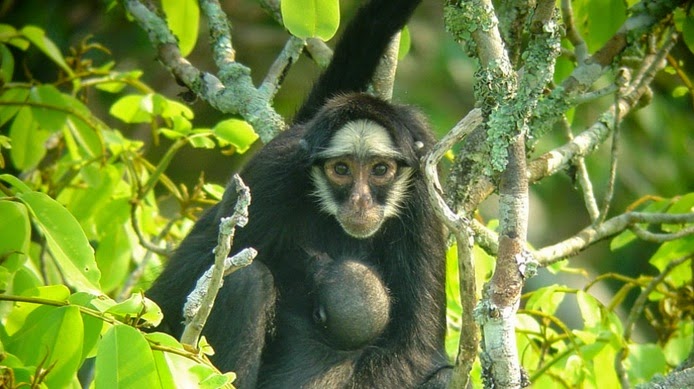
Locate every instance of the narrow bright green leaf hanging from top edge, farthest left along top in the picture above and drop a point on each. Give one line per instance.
(183, 18)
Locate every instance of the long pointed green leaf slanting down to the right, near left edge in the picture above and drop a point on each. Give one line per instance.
(66, 241)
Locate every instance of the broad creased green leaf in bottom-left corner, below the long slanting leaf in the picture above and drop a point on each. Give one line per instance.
(52, 338)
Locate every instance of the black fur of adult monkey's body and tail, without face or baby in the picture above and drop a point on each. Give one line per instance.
(262, 326)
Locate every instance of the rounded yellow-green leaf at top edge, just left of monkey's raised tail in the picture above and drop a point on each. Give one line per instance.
(311, 18)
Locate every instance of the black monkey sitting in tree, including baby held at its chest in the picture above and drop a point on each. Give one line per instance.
(339, 205)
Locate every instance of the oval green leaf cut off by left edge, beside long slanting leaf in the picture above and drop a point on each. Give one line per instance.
(15, 231)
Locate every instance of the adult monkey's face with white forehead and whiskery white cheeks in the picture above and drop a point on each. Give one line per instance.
(361, 182)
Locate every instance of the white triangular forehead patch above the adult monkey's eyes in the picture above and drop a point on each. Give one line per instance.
(362, 139)
